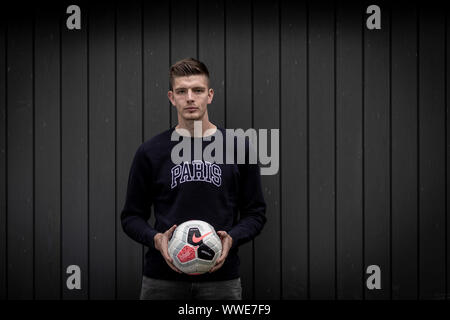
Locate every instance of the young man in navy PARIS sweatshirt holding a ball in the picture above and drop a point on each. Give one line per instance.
(233, 204)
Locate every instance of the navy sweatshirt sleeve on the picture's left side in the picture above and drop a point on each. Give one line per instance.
(137, 208)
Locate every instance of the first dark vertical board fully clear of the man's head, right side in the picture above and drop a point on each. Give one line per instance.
(239, 100)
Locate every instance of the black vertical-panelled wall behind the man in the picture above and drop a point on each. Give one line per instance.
(363, 140)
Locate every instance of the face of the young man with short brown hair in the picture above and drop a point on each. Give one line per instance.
(190, 95)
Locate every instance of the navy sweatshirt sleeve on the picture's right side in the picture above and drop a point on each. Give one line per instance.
(252, 206)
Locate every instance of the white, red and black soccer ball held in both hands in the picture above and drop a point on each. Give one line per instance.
(194, 247)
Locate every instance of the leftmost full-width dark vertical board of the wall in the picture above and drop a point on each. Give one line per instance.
(20, 156)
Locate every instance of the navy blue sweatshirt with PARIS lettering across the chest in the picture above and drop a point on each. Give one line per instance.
(227, 196)
